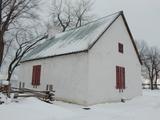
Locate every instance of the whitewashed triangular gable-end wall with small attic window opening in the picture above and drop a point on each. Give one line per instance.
(104, 57)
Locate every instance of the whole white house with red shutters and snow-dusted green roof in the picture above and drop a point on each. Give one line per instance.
(95, 63)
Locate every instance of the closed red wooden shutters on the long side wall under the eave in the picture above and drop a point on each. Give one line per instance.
(36, 73)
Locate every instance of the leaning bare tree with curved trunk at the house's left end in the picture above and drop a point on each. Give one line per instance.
(23, 47)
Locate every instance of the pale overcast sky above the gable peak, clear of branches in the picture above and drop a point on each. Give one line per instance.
(143, 16)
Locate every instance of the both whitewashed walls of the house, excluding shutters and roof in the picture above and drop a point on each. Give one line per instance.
(90, 77)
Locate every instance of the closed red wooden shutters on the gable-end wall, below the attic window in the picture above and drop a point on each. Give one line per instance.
(120, 78)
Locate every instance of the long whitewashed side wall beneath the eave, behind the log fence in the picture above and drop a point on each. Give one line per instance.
(68, 74)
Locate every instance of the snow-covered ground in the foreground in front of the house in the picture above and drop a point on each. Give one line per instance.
(146, 107)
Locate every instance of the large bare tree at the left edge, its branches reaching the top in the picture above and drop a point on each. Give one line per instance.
(11, 11)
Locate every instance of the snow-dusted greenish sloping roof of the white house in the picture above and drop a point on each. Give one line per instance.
(74, 40)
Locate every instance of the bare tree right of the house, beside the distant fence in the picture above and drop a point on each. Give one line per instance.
(150, 57)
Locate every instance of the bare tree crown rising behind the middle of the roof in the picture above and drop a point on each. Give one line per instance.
(70, 15)
